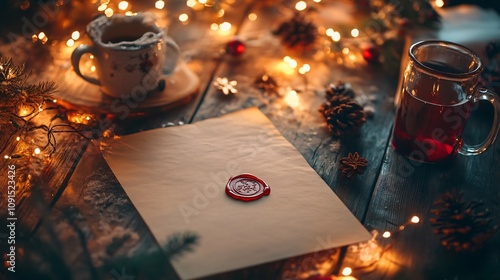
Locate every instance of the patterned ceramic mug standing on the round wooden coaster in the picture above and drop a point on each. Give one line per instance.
(130, 55)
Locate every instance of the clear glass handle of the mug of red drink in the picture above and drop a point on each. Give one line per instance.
(487, 95)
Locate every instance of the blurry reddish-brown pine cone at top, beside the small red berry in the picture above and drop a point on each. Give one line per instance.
(297, 32)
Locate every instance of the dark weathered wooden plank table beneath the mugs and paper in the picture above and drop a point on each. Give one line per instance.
(79, 210)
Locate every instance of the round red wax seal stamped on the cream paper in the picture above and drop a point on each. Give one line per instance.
(246, 187)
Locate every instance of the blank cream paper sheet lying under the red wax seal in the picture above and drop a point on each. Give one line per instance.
(176, 177)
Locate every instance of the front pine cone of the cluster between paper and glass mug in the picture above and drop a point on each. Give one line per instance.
(344, 118)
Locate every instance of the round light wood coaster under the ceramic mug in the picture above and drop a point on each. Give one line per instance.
(180, 88)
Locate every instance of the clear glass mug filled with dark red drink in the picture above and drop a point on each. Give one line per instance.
(437, 94)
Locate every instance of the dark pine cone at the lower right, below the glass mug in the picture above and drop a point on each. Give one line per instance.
(461, 225)
